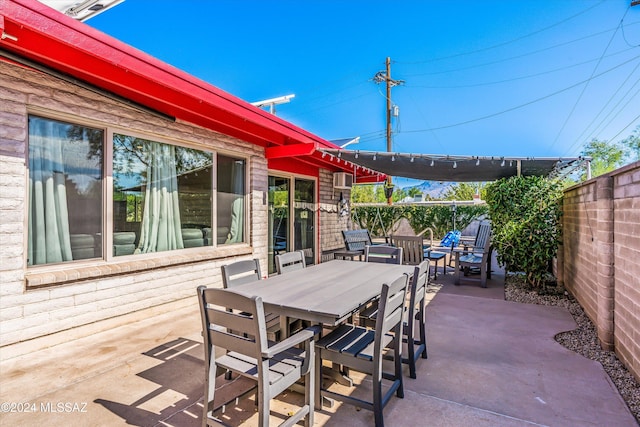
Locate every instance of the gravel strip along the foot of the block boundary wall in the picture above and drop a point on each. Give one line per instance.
(583, 340)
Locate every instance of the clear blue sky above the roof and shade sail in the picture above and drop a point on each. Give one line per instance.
(527, 78)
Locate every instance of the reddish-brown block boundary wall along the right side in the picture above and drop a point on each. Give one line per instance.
(599, 259)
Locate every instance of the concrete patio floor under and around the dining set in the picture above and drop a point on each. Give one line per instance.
(491, 363)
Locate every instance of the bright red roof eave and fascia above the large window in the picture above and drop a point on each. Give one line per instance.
(60, 42)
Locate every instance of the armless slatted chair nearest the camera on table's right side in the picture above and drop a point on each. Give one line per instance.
(363, 349)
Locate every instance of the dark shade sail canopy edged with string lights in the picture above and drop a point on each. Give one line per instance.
(432, 167)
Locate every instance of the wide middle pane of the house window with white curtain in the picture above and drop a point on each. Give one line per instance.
(162, 196)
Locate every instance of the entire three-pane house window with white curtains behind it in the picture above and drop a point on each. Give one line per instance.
(163, 195)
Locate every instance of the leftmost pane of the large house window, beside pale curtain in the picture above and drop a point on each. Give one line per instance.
(65, 192)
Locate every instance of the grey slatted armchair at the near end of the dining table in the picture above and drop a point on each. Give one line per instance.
(274, 366)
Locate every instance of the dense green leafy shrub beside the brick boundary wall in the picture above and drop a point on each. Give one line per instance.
(525, 216)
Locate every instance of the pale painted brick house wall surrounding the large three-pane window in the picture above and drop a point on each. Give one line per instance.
(44, 306)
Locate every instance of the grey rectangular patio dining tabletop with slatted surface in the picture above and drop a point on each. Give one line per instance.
(326, 293)
